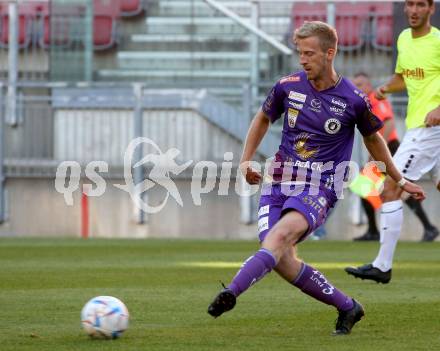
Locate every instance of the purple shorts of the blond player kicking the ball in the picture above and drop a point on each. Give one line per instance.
(314, 207)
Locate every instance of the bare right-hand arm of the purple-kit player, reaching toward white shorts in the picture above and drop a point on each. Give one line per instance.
(379, 151)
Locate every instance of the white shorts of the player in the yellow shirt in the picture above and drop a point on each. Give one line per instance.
(419, 153)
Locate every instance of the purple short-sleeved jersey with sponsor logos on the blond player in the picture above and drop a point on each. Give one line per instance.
(318, 128)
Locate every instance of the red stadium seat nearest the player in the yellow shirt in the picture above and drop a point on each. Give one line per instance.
(382, 26)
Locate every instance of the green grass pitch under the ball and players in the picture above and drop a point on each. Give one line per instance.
(167, 286)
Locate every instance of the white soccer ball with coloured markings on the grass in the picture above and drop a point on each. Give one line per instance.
(104, 317)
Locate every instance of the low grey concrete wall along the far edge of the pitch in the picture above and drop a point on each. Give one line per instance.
(35, 208)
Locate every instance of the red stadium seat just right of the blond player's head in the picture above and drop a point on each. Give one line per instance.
(351, 24)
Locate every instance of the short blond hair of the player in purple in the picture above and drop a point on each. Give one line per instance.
(328, 38)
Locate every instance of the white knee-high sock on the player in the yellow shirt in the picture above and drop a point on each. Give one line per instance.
(391, 219)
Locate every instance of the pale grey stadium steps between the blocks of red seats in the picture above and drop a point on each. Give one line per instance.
(188, 42)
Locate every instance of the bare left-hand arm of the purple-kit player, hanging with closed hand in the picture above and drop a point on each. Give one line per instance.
(258, 128)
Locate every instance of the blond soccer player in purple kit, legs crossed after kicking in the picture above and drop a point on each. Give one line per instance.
(321, 110)
